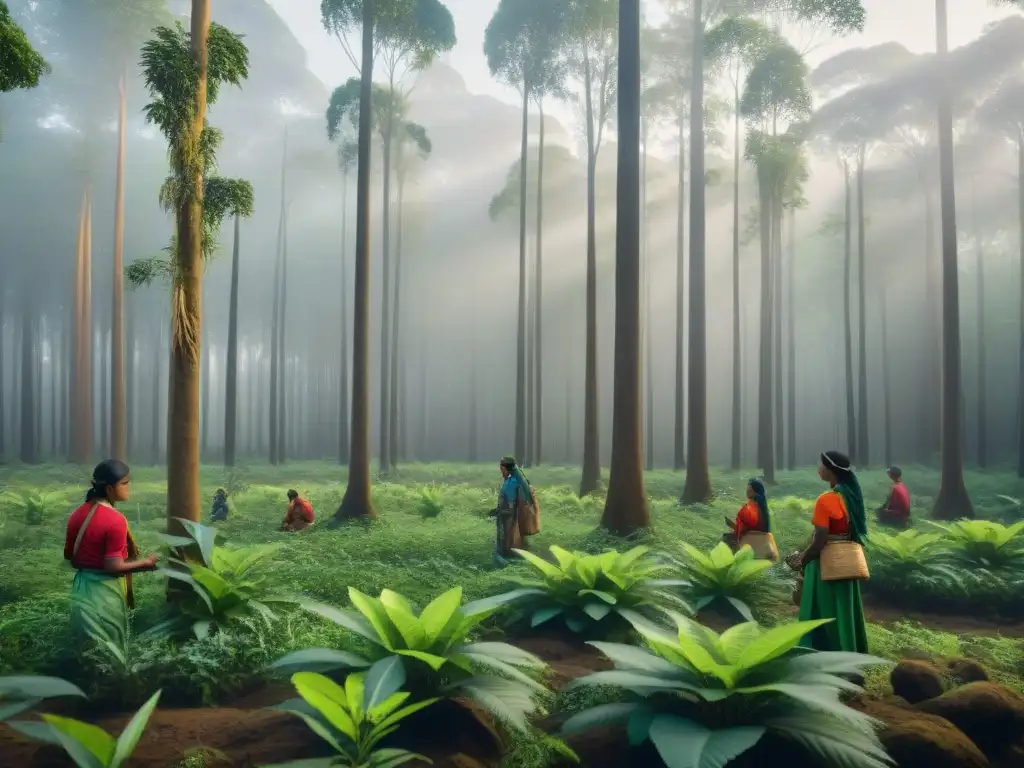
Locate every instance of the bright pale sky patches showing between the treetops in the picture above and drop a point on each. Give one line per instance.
(909, 22)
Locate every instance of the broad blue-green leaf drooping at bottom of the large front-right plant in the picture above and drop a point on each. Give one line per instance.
(685, 744)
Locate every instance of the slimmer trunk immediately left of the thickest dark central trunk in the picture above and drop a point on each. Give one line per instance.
(591, 479)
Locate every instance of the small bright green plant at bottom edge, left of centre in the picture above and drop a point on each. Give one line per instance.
(354, 720)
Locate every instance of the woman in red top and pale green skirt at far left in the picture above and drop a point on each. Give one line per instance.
(104, 554)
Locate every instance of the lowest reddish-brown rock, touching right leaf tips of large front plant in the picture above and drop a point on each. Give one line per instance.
(916, 740)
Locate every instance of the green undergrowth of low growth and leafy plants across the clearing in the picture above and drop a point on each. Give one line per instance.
(430, 560)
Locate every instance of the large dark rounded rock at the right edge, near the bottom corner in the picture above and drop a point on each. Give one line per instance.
(992, 715)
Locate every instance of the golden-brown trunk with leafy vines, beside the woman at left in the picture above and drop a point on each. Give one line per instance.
(183, 410)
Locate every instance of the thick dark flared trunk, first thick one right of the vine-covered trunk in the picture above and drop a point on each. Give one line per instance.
(357, 502)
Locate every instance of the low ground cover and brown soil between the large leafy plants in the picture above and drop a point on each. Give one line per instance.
(216, 691)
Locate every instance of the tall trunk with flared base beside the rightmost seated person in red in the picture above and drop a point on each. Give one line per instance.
(953, 501)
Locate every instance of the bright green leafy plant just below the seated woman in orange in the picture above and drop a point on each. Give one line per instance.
(738, 579)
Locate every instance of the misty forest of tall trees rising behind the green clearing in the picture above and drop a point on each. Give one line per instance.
(411, 272)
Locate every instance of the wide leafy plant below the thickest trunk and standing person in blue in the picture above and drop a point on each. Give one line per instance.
(589, 592)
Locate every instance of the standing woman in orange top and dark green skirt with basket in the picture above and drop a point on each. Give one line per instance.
(838, 514)
